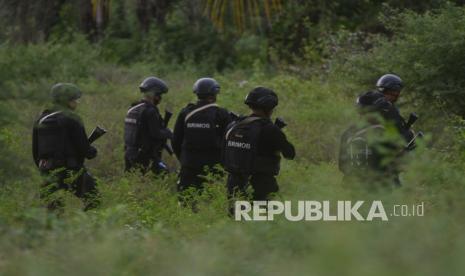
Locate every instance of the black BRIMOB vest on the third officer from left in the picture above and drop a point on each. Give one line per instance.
(202, 129)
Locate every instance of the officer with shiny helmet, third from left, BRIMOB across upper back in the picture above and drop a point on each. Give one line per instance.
(198, 135)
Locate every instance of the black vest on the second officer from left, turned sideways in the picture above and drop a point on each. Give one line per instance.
(132, 126)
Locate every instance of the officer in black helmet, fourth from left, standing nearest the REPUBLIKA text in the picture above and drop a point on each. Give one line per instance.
(253, 147)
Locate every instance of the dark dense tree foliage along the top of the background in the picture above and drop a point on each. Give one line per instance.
(180, 30)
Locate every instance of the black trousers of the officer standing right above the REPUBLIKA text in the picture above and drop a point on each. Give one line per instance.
(263, 185)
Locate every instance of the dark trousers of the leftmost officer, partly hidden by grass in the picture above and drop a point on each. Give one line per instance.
(78, 181)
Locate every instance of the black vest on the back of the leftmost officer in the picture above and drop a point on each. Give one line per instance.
(52, 137)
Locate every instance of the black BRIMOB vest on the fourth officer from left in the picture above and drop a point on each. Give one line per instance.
(241, 149)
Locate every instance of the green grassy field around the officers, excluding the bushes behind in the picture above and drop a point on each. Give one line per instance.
(141, 229)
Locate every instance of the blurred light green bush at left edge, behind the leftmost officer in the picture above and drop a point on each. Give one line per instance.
(27, 71)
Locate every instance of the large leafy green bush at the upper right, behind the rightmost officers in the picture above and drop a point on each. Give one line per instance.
(427, 51)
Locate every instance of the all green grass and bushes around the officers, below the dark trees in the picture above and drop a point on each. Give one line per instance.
(140, 229)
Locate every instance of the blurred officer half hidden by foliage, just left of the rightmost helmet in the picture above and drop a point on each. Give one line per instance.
(366, 155)
